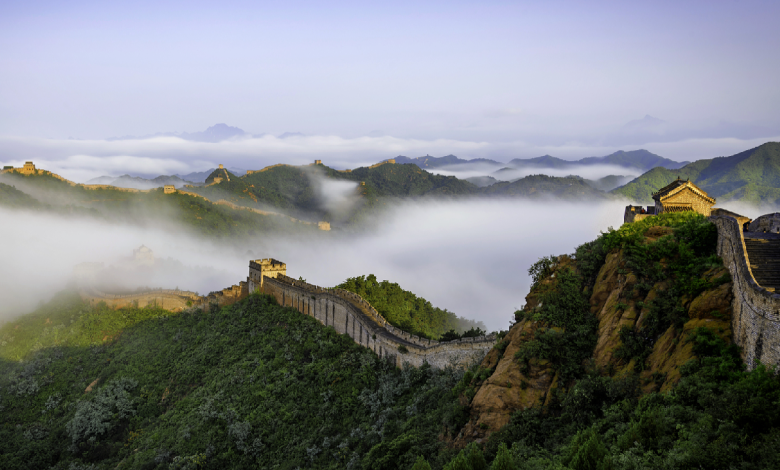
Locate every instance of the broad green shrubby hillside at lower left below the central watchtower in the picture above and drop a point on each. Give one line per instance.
(253, 385)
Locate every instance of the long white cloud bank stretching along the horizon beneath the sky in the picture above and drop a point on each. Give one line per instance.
(81, 160)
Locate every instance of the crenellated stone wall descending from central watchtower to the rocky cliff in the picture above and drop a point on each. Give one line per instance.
(350, 314)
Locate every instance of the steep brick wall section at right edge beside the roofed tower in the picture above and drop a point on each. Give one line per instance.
(756, 320)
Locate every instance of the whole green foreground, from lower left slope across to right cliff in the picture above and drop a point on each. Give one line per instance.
(255, 385)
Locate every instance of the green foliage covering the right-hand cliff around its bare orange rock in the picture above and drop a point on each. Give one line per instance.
(718, 416)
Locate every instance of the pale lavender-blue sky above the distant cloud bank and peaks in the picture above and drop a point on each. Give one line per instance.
(500, 79)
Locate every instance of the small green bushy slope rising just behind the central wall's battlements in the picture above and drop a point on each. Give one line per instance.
(414, 314)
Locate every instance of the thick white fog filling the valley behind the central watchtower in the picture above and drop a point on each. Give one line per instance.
(470, 257)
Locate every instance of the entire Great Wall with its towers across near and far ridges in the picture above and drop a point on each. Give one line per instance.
(750, 249)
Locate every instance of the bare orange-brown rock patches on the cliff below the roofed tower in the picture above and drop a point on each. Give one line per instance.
(616, 304)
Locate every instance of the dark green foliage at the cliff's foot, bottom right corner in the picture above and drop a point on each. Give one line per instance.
(719, 416)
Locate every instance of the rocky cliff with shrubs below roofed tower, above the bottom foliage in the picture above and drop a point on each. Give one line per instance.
(650, 289)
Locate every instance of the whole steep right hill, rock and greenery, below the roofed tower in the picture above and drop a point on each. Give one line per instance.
(622, 359)
